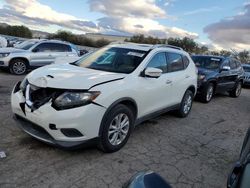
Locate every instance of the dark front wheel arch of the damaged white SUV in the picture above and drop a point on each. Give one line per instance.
(127, 101)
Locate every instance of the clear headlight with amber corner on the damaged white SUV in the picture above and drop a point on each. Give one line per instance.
(74, 99)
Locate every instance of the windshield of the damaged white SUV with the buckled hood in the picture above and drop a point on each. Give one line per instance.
(113, 59)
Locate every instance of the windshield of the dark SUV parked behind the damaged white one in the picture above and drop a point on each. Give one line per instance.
(207, 62)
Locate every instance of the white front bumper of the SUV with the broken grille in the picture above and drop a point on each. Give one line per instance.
(86, 119)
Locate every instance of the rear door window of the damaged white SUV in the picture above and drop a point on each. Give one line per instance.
(175, 62)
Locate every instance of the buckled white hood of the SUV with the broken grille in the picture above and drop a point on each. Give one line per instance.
(66, 76)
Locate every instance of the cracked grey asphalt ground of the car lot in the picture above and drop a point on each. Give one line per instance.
(194, 152)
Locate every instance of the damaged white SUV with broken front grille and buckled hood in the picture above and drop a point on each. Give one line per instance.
(105, 94)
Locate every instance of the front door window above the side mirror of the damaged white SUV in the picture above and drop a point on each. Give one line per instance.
(159, 61)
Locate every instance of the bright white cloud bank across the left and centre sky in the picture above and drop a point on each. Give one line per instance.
(121, 17)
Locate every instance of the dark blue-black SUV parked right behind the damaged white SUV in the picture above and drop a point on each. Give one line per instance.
(218, 74)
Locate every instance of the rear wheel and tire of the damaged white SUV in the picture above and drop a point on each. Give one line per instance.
(186, 104)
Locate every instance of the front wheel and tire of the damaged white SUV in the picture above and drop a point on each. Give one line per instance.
(117, 127)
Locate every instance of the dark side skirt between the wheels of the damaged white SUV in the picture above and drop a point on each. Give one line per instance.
(156, 114)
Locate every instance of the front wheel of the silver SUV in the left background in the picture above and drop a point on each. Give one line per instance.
(18, 67)
